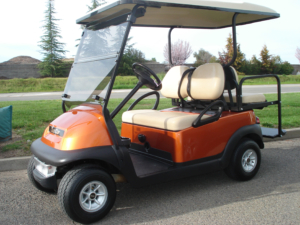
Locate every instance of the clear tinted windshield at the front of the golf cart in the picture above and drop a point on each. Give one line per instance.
(94, 63)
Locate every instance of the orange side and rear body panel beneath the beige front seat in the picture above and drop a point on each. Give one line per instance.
(192, 143)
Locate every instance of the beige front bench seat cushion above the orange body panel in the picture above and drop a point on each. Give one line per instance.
(173, 121)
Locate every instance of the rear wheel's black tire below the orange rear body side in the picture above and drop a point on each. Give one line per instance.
(236, 170)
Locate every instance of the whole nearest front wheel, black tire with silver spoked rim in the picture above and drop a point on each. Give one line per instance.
(87, 194)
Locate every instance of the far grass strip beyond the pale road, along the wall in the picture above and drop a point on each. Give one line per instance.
(122, 82)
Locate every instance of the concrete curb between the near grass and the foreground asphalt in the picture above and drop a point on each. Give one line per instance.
(20, 163)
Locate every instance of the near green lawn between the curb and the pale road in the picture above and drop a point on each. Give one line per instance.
(30, 118)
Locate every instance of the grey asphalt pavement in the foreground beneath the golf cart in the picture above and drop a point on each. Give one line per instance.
(272, 197)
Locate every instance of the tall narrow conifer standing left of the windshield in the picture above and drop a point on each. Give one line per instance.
(52, 50)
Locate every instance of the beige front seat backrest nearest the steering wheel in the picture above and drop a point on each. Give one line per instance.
(170, 83)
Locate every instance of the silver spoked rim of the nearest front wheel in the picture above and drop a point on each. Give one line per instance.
(93, 196)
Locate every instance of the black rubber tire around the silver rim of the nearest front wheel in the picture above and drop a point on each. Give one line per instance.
(73, 183)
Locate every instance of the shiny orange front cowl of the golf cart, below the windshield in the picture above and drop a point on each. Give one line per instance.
(84, 127)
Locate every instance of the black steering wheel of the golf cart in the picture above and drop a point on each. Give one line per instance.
(143, 73)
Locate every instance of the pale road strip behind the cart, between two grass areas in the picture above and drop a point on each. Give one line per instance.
(265, 89)
